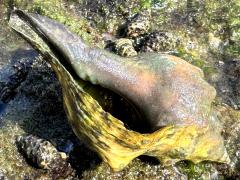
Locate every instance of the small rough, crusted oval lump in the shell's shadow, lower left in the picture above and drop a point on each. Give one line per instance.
(43, 154)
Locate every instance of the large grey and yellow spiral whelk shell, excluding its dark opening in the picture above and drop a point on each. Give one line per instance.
(168, 91)
